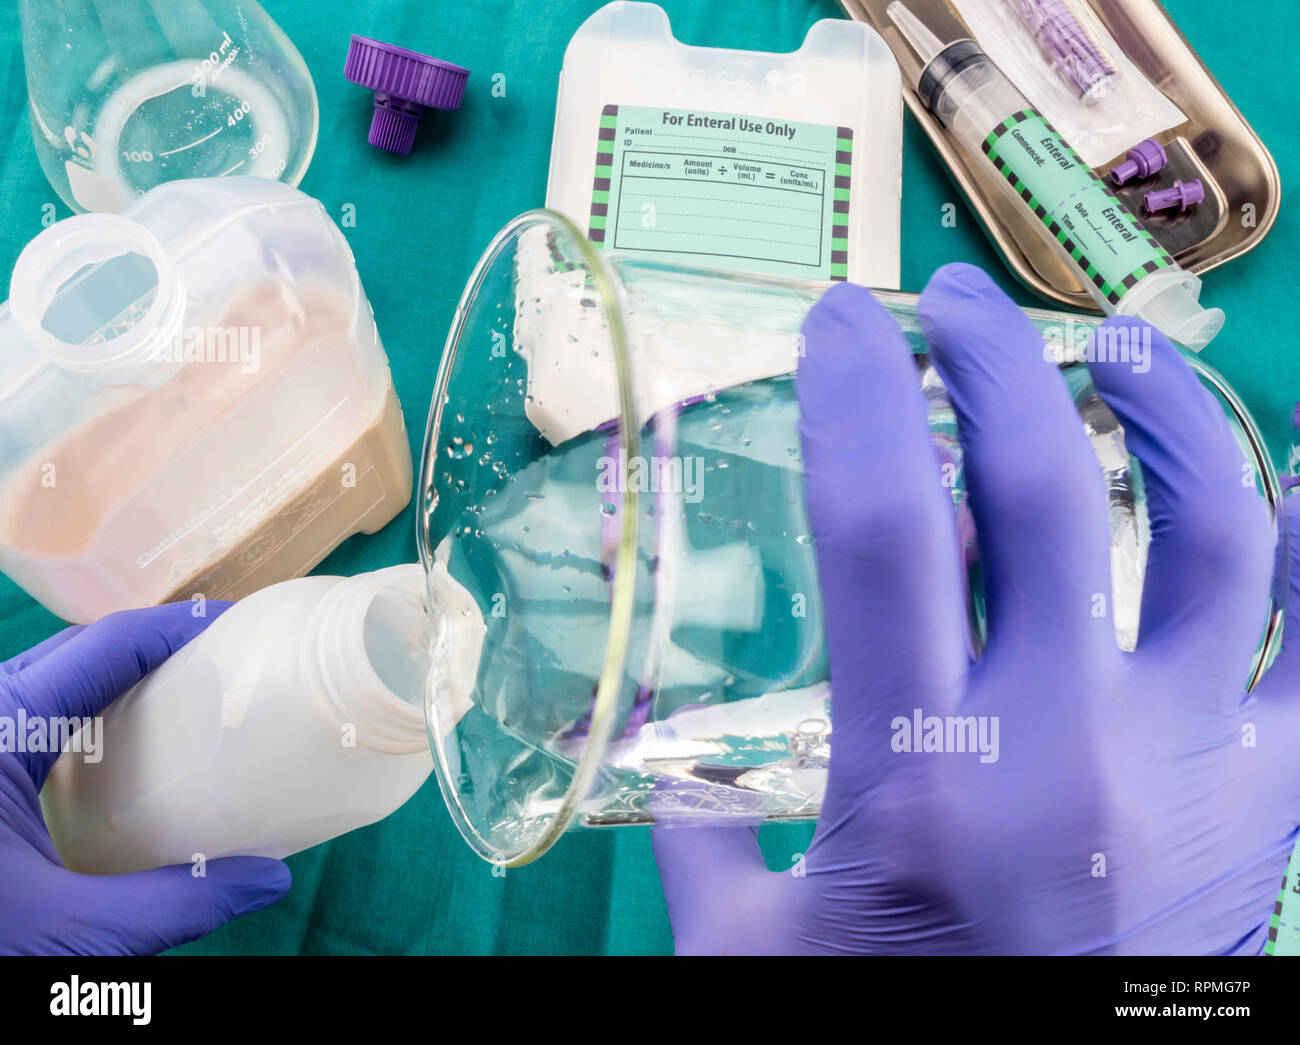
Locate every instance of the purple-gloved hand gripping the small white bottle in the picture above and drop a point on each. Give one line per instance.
(49, 910)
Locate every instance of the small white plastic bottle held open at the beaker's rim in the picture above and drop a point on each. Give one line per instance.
(297, 717)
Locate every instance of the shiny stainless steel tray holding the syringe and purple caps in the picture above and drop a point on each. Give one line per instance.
(1216, 145)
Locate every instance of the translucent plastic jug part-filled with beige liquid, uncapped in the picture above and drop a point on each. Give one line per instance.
(194, 401)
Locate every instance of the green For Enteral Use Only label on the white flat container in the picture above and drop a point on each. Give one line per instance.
(751, 193)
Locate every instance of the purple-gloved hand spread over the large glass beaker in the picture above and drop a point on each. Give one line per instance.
(1139, 803)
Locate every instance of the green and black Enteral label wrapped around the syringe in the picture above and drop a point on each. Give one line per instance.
(1098, 231)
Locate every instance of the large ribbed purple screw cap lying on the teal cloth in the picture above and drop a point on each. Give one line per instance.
(405, 84)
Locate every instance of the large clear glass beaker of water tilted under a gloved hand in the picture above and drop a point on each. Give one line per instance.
(613, 472)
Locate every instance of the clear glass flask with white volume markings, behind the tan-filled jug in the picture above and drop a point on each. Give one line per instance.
(128, 96)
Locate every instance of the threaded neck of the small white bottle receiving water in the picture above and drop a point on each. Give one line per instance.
(341, 669)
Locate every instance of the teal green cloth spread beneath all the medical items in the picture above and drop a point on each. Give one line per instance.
(410, 884)
